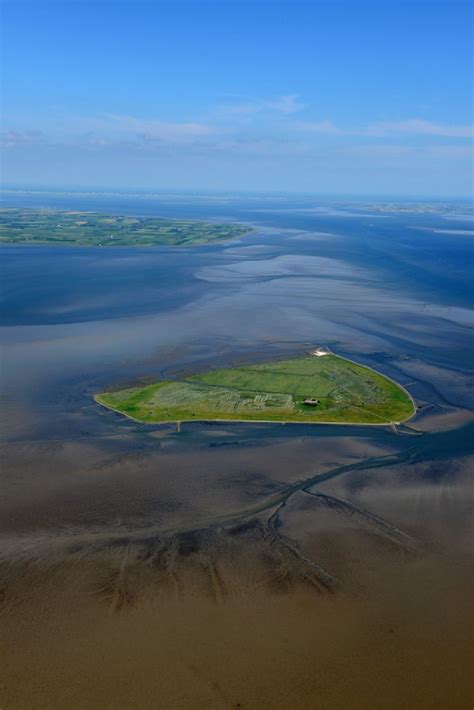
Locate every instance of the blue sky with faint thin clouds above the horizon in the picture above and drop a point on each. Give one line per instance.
(348, 97)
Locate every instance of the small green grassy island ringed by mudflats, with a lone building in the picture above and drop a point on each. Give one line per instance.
(317, 387)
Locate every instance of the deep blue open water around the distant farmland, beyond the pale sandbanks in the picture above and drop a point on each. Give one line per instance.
(400, 252)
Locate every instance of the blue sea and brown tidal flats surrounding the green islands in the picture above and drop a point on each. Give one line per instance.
(236, 565)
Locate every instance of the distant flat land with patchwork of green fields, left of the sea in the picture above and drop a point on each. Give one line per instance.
(68, 228)
